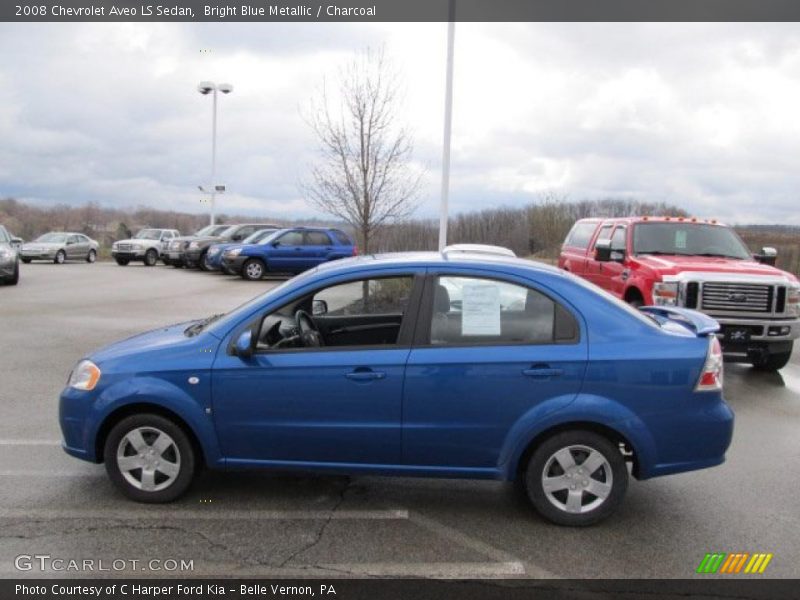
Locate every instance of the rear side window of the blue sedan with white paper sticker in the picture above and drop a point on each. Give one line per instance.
(468, 311)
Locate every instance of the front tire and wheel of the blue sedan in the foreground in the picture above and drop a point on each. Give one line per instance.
(120, 454)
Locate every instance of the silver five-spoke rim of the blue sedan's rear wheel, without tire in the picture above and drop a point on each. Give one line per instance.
(577, 479)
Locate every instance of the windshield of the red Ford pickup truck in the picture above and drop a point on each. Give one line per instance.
(688, 239)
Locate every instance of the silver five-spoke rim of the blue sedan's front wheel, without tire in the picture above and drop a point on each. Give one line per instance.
(148, 459)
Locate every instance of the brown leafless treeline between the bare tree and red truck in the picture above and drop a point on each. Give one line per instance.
(537, 229)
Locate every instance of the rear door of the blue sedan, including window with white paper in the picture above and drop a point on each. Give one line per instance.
(488, 350)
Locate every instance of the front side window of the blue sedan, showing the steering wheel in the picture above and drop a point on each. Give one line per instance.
(366, 312)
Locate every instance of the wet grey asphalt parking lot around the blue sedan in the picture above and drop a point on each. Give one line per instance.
(270, 525)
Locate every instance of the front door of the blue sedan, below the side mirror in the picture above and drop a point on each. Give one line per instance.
(336, 404)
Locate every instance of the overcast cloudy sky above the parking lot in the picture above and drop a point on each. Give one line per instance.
(706, 116)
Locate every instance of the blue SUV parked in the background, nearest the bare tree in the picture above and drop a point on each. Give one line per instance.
(291, 250)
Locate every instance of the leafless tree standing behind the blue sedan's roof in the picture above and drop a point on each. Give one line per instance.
(364, 175)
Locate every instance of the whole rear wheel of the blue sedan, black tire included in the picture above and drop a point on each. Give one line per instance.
(549, 461)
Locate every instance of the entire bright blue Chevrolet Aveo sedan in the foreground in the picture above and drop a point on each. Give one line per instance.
(413, 364)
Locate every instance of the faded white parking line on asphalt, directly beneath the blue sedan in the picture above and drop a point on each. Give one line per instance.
(202, 515)
